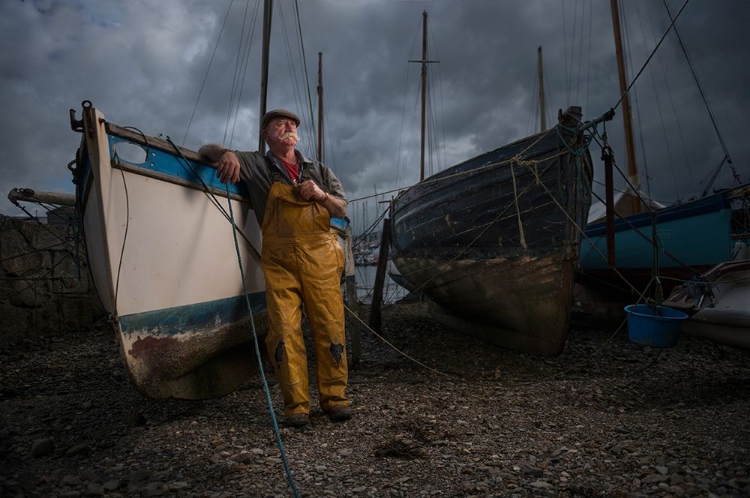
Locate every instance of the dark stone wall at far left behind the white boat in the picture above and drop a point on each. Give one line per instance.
(45, 289)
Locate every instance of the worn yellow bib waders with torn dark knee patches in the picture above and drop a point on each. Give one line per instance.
(302, 263)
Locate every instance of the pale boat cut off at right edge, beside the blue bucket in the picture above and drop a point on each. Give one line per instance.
(718, 303)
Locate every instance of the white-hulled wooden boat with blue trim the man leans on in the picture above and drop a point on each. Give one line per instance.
(164, 260)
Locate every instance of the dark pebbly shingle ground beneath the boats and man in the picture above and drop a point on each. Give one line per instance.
(455, 418)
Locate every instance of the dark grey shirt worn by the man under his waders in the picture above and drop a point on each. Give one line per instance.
(254, 171)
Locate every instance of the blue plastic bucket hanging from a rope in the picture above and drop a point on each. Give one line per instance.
(658, 328)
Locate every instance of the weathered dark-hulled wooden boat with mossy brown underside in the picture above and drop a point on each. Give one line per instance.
(493, 242)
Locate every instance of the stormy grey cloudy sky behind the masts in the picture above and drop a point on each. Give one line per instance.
(190, 70)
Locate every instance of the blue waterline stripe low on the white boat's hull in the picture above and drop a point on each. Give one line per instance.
(193, 317)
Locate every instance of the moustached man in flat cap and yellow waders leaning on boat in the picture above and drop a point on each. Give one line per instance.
(294, 199)
